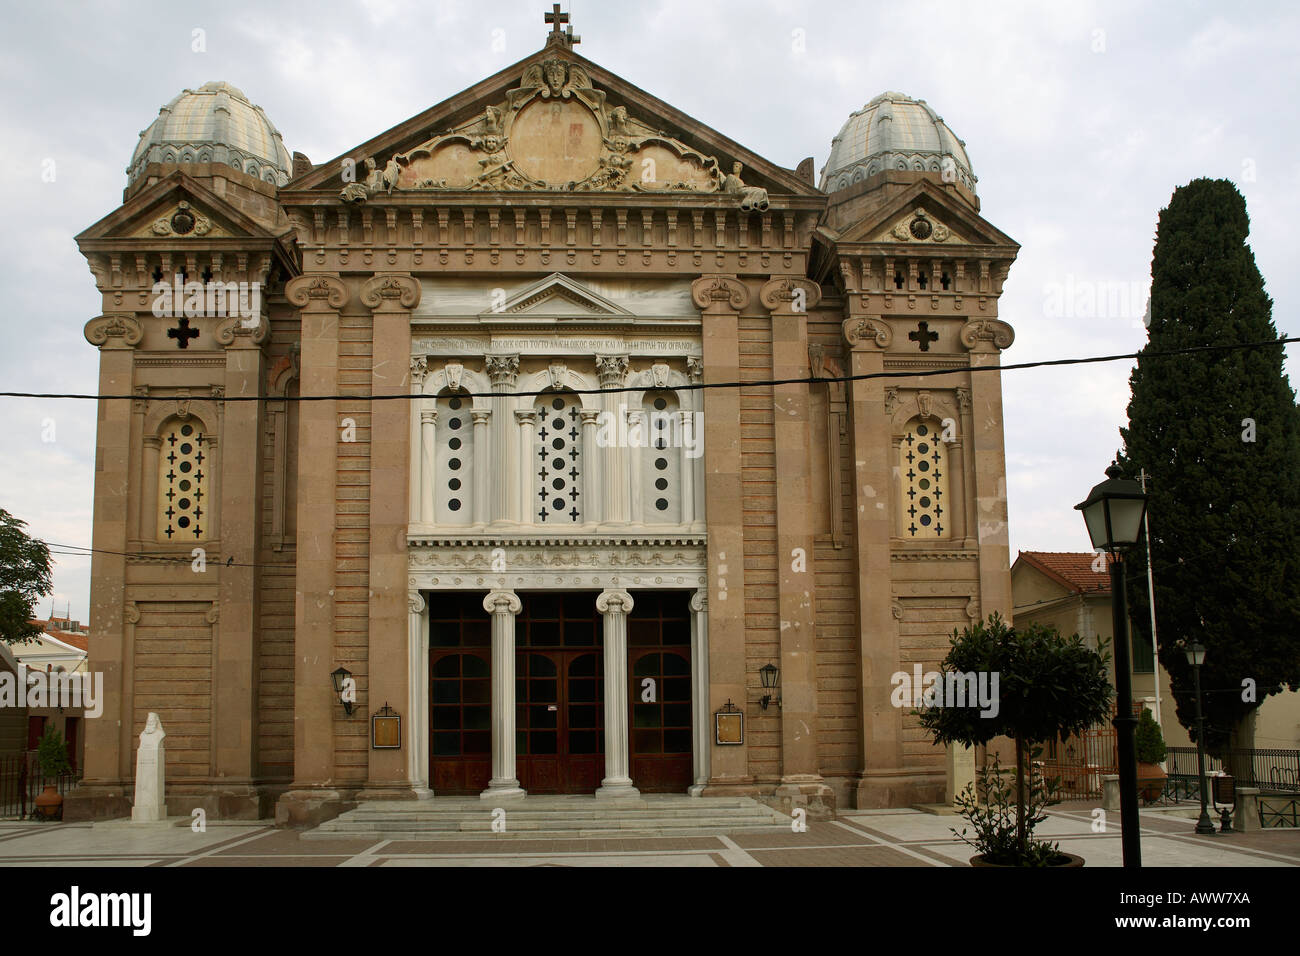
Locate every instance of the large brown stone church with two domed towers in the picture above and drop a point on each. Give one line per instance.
(595, 448)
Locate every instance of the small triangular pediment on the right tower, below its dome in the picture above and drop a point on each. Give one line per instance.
(926, 215)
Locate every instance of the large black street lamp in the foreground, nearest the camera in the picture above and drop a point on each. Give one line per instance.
(1113, 513)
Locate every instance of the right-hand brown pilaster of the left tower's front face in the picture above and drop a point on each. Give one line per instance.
(239, 526)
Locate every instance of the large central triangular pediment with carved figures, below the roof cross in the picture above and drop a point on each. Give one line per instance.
(554, 122)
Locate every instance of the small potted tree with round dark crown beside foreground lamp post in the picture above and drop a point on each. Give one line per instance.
(1046, 686)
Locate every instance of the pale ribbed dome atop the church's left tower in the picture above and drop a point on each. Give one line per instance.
(214, 124)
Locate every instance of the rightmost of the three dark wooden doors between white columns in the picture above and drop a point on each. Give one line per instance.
(660, 665)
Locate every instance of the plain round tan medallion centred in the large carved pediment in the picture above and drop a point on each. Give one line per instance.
(556, 141)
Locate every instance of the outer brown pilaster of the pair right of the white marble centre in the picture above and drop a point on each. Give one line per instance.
(803, 786)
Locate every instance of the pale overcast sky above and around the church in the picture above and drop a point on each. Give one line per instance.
(1081, 119)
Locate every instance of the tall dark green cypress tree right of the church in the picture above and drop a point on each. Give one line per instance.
(1219, 435)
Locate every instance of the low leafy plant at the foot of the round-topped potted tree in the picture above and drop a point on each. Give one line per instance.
(996, 819)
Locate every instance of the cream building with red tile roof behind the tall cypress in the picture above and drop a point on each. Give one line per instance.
(1065, 591)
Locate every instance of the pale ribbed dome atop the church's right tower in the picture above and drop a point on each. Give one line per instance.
(895, 132)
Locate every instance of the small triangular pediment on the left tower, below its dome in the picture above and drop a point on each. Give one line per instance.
(176, 209)
